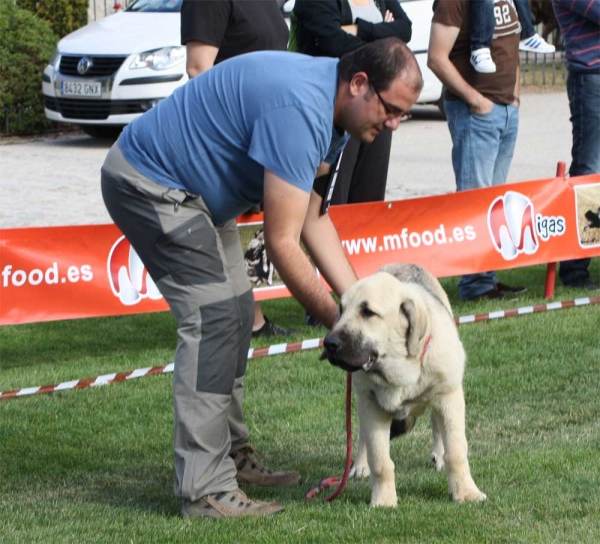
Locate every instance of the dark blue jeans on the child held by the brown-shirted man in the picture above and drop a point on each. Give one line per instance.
(483, 21)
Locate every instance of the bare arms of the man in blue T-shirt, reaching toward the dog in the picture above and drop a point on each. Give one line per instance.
(286, 208)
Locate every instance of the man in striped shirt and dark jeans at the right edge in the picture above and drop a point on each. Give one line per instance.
(579, 22)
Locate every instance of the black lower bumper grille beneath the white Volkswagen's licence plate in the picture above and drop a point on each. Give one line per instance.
(73, 108)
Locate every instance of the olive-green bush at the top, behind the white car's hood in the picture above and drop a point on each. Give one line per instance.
(64, 16)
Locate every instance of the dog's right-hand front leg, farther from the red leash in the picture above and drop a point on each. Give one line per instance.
(451, 413)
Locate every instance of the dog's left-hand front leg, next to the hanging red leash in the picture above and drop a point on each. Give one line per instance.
(375, 434)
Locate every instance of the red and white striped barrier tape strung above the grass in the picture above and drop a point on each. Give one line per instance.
(276, 349)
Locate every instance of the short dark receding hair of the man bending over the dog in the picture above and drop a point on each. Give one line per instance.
(383, 61)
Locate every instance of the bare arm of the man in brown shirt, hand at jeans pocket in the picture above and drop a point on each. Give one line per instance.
(441, 42)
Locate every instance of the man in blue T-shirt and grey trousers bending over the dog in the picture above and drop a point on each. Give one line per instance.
(258, 127)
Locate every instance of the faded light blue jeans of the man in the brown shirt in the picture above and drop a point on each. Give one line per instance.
(482, 150)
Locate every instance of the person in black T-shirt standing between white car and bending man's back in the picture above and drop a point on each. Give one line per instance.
(216, 30)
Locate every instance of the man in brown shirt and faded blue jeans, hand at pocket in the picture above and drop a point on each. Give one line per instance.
(481, 109)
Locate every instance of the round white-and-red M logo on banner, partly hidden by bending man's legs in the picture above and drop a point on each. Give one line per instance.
(129, 280)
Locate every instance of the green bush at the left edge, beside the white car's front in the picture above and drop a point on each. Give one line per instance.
(26, 45)
